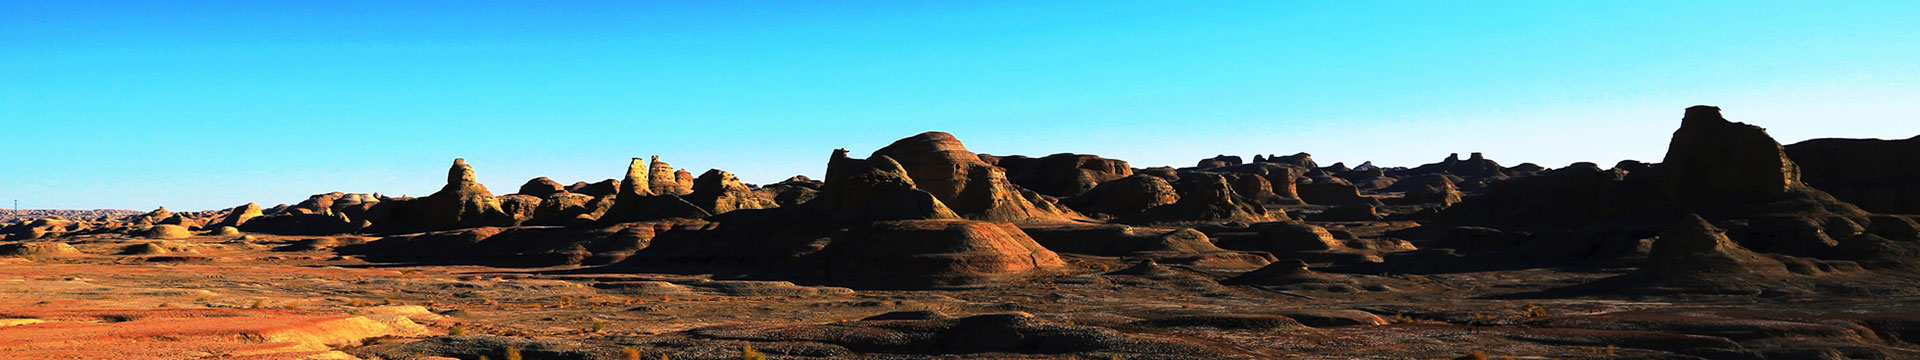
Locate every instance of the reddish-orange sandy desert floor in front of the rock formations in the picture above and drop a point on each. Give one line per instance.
(226, 298)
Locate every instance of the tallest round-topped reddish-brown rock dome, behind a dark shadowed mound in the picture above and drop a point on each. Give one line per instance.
(940, 166)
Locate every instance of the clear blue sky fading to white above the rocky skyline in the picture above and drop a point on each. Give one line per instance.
(218, 104)
